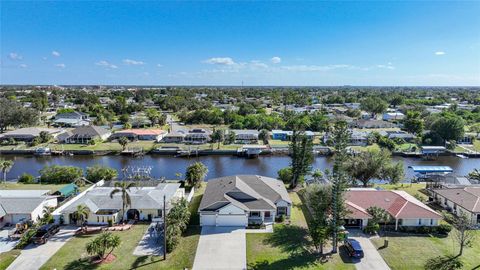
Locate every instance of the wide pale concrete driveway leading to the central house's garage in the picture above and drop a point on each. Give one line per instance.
(221, 248)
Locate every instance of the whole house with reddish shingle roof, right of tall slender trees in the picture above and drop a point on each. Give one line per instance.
(404, 209)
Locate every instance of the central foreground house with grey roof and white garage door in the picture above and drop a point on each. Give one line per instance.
(240, 200)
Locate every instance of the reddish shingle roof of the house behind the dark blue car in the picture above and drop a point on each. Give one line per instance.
(398, 203)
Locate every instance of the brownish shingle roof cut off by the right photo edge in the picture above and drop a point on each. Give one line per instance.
(466, 197)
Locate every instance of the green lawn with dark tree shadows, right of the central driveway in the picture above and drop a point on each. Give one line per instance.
(289, 246)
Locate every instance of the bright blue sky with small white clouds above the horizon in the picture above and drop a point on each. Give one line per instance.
(225, 43)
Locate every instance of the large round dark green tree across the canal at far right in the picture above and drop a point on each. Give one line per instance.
(448, 128)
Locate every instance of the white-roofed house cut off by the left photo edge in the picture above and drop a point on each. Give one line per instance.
(23, 205)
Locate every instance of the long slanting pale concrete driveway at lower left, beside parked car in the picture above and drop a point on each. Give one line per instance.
(34, 256)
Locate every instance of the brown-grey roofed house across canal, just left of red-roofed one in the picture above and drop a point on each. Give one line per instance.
(84, 135)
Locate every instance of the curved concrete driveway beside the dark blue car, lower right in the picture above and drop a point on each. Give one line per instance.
(372, 260)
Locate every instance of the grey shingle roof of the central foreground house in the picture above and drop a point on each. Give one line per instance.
(248, 192)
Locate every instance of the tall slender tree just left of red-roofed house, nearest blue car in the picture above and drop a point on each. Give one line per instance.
(341, 137)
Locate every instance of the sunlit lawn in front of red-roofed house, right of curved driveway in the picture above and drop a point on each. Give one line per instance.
(411, 252)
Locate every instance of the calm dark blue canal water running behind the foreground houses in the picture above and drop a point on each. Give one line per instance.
(167, 166)
